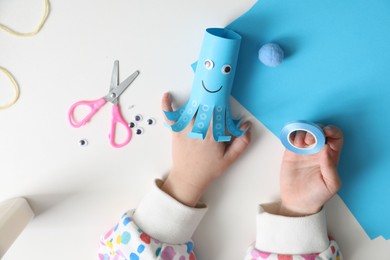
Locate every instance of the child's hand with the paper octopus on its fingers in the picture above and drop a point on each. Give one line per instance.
(197, 163)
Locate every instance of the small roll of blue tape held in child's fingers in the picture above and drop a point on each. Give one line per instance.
(309, 127)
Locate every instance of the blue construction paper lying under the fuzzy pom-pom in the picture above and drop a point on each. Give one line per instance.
(336, 71)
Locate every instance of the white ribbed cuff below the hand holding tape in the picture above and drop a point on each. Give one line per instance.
(290, 235)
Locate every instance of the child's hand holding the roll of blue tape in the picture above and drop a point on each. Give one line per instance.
(308, 181)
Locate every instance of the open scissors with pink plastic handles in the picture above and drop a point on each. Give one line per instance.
(116, 90)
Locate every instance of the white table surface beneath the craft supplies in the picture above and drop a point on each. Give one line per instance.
(80, 192)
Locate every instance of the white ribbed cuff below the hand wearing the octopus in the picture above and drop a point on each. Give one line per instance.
(164, 218)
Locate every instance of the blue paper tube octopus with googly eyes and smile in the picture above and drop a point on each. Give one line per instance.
(211, 89)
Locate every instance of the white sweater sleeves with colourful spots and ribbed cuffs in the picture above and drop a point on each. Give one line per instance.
(161, 228)
